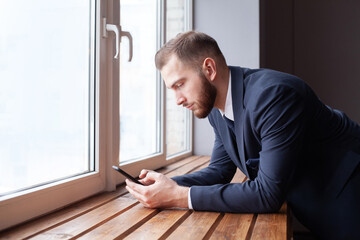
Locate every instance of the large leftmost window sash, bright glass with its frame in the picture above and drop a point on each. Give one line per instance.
(47, 106)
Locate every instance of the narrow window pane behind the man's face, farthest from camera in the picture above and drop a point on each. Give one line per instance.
(177, 117)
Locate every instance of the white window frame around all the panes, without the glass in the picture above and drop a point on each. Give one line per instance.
(25, 205)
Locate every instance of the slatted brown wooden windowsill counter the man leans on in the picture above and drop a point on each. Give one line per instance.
(117, 215)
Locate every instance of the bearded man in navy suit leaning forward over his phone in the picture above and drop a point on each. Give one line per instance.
(273, 128)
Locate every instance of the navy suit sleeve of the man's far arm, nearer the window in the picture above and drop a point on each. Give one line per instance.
(220, 170)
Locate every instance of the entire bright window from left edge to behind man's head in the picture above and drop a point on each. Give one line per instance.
(65, 117)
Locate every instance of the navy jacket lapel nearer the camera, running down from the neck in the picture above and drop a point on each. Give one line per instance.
(237, 91)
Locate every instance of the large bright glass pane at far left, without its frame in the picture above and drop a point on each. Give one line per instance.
(44, 91)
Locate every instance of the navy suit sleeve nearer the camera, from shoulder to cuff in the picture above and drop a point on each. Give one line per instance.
(277, 117)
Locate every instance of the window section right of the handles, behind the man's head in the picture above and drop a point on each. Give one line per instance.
(144, 101)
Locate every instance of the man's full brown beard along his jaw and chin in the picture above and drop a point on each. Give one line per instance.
(207, 98)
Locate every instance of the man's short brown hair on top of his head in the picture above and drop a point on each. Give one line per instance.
(191, 48)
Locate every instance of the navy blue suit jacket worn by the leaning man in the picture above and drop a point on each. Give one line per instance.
(292, 148)
